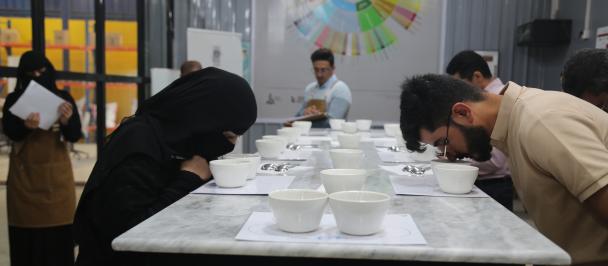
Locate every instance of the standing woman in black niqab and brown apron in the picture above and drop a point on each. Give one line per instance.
(41, 196)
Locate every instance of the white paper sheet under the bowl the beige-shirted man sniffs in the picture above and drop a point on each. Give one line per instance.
(427, 185)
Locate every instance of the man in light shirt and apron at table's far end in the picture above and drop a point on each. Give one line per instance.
(328, 97)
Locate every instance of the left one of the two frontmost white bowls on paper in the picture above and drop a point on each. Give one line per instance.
(297, 210)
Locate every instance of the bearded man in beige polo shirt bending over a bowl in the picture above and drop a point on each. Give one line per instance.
(557, 146)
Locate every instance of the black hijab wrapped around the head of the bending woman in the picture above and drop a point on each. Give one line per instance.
(193, 111)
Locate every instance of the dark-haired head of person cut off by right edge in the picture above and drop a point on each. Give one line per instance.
(585, 76)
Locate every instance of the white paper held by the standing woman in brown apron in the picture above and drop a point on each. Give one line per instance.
(37, 99)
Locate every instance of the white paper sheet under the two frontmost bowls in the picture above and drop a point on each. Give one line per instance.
(399, 229)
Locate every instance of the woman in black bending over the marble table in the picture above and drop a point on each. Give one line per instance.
(158, 156)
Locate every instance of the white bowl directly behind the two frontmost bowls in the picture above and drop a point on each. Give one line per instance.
(335, 180)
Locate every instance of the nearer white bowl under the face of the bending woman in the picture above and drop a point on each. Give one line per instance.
(230, 173)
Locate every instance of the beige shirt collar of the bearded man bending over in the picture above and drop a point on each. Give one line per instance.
(510, 94)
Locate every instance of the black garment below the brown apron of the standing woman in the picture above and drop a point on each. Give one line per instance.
(41, 246)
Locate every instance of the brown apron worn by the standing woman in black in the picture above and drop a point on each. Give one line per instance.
(40, 185)
